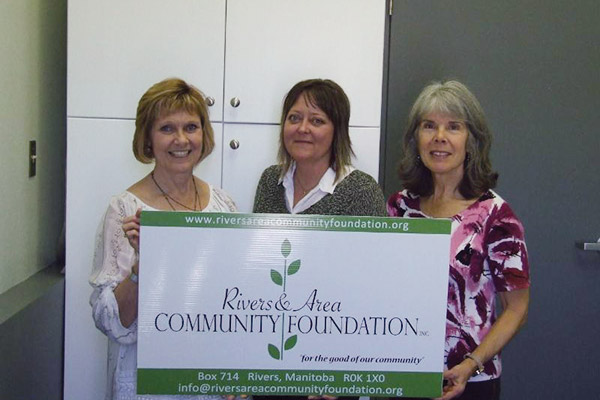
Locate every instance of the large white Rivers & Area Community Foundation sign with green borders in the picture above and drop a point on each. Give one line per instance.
(291, 305)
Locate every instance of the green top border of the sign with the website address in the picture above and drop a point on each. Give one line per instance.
(297, 222)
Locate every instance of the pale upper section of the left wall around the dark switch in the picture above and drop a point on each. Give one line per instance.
(32, 107)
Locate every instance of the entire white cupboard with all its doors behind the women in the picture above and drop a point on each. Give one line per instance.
(252, 50)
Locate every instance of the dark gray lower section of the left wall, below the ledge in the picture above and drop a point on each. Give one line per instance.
(31, 338)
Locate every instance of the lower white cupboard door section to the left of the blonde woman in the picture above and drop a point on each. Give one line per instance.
(100, 164)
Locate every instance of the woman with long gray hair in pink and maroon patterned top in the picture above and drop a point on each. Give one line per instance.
(446, 173)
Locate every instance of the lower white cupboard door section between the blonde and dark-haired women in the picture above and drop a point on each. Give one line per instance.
(242, 165)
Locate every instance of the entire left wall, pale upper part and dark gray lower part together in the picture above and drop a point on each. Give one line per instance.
(32, 107)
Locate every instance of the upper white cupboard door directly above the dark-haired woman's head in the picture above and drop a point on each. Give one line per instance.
(272, 44)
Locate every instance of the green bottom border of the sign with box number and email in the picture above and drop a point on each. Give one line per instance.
(288, 382)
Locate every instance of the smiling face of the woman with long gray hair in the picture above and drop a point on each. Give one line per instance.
(442, 142)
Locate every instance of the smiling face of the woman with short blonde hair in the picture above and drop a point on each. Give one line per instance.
(176, 140)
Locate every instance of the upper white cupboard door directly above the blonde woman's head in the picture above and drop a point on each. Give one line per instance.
(119, 48)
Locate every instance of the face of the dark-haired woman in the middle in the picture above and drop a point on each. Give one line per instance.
(308, 133)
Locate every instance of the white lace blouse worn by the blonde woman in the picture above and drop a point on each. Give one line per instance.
(113, 259)
